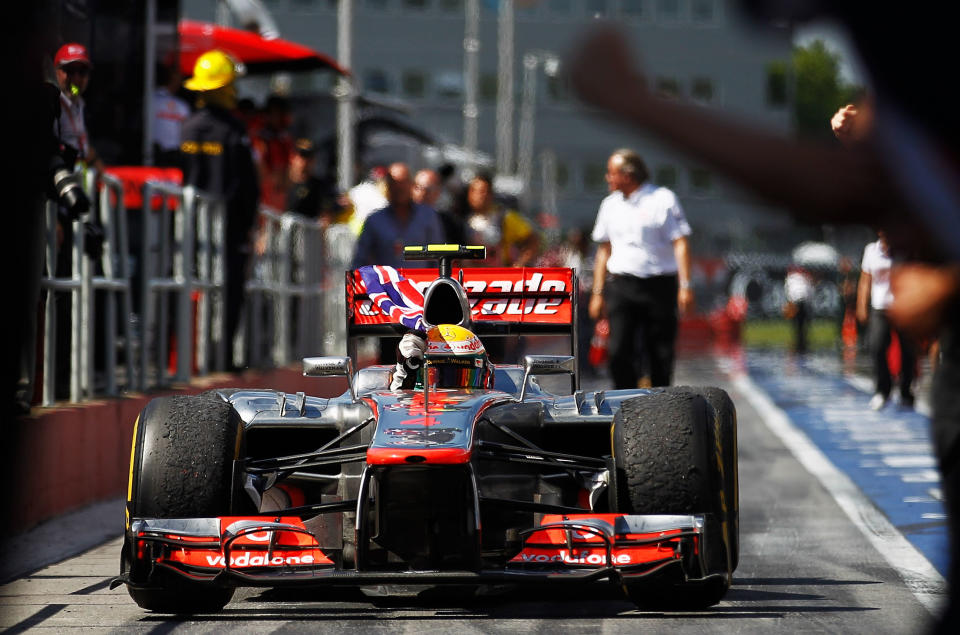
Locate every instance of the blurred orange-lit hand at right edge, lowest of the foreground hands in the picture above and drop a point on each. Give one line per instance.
(921, 294)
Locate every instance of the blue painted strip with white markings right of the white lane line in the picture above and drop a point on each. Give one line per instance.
(887, 454)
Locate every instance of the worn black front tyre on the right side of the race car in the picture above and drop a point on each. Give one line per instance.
(664, 454)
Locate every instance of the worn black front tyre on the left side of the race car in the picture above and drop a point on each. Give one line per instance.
(181, 467)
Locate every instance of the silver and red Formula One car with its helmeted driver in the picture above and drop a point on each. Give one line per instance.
(476, 475)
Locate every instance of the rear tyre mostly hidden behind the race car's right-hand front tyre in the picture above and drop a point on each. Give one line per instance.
(725, 429)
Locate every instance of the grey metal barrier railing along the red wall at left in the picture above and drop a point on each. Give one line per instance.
(176, 329)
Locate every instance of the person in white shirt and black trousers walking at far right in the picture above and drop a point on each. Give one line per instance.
(874, 298)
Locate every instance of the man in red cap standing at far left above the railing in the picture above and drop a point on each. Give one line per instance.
(72, 64)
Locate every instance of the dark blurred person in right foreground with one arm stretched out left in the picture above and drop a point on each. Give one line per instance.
(908, 163)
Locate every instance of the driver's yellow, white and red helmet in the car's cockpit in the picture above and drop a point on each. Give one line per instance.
(456, 358)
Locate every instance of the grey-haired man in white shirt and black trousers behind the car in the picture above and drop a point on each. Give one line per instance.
(641, 274)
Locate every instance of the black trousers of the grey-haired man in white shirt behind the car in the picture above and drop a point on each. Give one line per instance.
(647, 306)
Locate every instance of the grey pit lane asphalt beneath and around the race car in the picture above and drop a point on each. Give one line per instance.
(805, 567)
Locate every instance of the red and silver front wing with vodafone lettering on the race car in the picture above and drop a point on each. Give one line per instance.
(256, 551)
